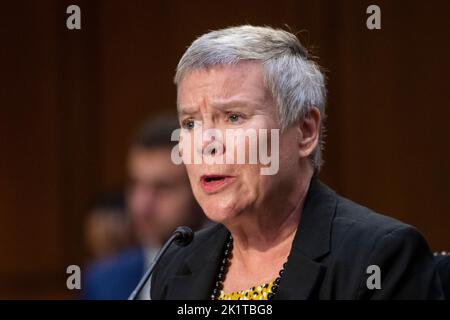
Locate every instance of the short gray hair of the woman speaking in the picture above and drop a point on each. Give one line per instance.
(294, 79)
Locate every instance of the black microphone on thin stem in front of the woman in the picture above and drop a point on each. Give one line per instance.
(182, 236)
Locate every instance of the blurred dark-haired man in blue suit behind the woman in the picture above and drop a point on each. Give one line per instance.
(159, 199)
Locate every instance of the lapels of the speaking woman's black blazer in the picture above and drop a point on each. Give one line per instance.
(302, 274)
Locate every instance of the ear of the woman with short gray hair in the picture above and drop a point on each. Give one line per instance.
(309, 129)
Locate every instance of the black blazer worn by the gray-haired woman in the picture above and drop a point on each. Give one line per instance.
(335, 243)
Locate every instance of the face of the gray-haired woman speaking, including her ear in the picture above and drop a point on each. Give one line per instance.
(233, 97)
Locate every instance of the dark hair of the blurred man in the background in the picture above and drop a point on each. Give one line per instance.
(156, 132)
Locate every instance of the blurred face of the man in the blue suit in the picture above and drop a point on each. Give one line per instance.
(159, 196)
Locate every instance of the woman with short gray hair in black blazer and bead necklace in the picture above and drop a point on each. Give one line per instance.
(283, 235)
